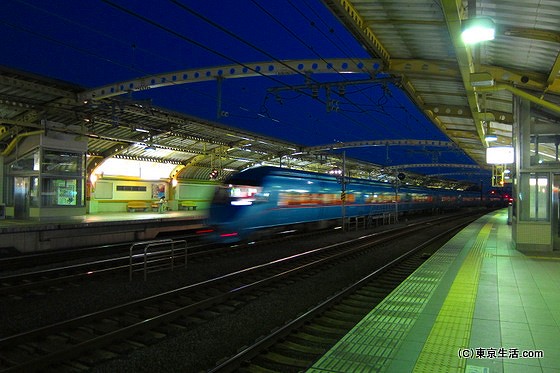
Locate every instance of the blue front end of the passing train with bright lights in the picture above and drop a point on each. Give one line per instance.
(232, 210)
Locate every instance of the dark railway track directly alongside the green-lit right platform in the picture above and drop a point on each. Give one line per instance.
(298, 344)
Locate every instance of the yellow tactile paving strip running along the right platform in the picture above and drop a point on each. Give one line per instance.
(452, 328)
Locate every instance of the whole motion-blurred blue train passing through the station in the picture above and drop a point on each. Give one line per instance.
(266, 200)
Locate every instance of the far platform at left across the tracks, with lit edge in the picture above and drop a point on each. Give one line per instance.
(32, 236)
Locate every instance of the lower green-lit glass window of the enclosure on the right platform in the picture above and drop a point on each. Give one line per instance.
(534, 198)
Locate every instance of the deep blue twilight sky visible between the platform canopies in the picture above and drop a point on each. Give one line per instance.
(98, 42)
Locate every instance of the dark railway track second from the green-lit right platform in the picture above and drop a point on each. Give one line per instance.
(118, 330)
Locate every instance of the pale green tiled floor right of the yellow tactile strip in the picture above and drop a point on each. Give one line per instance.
(516, 302)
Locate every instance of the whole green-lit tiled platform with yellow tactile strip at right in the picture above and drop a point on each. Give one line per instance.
(476, 305)
